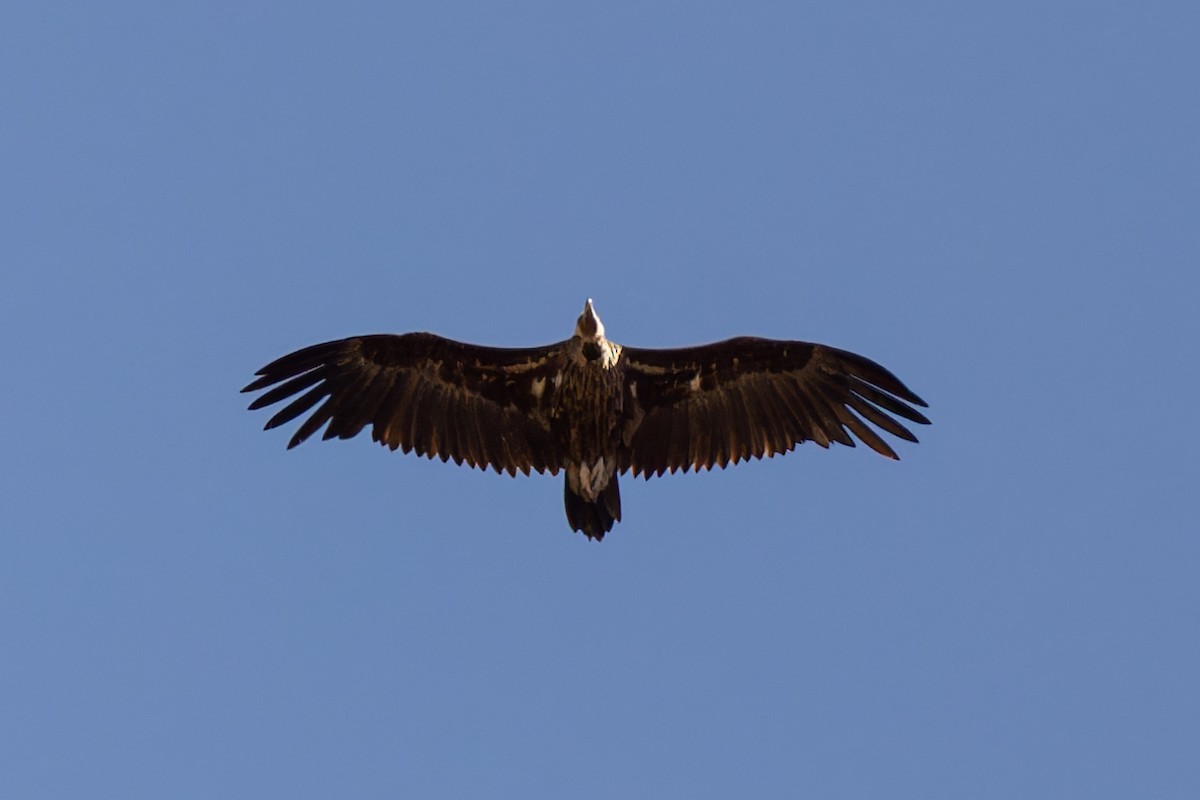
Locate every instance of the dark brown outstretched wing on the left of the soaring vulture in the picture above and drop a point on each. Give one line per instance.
(422, 393)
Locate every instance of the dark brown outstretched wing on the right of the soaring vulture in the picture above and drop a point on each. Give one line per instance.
(709, 406)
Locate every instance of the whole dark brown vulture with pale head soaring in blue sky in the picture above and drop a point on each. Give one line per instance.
(589, 407)
